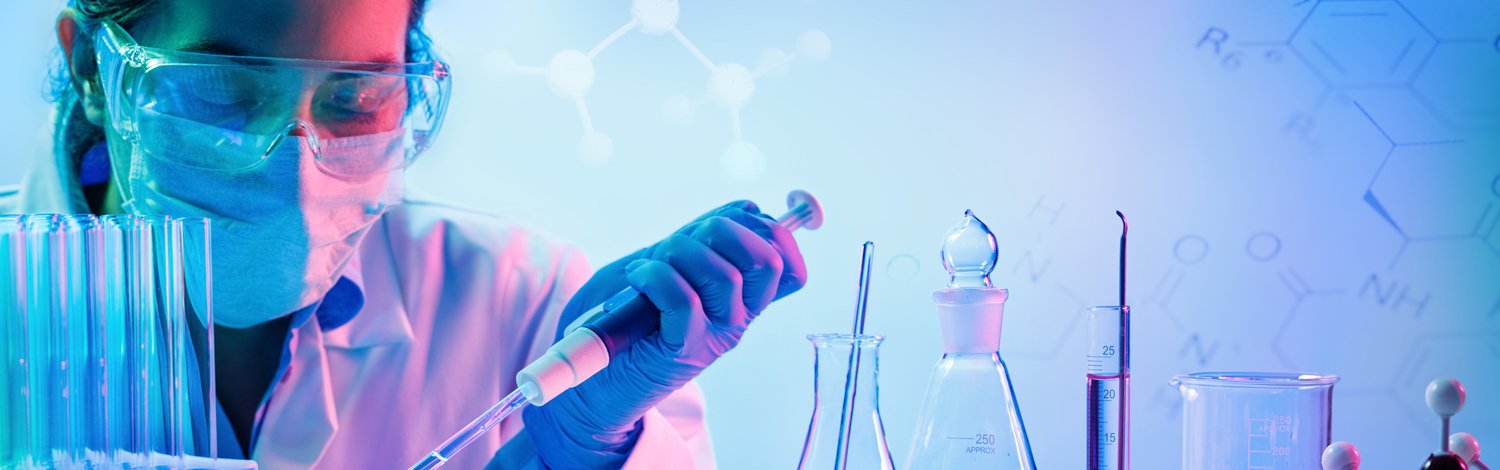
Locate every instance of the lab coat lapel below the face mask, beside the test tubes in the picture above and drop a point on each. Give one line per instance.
(301, 418)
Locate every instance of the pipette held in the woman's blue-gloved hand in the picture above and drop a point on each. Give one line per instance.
(590, 343)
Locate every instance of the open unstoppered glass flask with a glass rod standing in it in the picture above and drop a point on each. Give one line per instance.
(847, 430)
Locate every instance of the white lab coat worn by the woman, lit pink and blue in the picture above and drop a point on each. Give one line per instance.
(455, 304)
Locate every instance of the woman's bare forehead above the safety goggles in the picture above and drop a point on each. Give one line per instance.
(355, 31)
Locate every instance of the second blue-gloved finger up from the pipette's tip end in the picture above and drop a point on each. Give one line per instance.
(719, 285)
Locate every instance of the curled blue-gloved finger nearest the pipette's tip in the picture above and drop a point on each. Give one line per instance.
(673, 295)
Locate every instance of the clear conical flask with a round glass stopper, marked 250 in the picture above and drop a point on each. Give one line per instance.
(970, 418)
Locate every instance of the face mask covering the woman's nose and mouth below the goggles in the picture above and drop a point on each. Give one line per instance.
(283, 229)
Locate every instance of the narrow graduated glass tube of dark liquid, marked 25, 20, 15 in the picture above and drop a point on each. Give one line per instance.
(1109, 388)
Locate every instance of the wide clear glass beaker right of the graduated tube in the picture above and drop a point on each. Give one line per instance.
(1255, 420)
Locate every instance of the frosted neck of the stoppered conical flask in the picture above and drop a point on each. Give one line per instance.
(971, 319)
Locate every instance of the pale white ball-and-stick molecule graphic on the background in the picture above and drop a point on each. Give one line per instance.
(571, 74)
